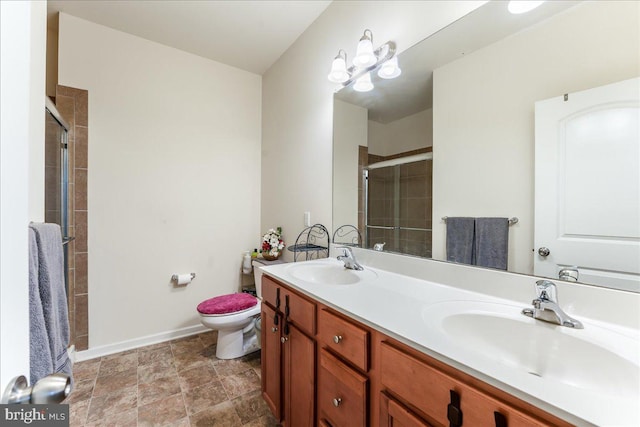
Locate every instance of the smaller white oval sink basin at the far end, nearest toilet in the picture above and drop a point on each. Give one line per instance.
(329, 273)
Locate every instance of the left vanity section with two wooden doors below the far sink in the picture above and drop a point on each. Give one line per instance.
(288, 354)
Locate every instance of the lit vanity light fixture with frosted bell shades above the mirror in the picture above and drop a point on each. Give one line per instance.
(365, 61)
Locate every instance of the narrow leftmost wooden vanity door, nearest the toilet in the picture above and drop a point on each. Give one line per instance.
(271, 360)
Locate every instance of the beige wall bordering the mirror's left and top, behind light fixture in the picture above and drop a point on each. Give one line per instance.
(297, 103)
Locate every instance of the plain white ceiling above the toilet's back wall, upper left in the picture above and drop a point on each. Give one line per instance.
(250, 35)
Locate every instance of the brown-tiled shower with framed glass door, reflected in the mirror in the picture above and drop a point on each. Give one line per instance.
(398, 195)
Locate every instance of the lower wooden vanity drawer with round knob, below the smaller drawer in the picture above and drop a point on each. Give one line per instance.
(342, 393)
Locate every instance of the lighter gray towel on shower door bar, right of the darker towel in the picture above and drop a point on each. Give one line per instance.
(53, 294)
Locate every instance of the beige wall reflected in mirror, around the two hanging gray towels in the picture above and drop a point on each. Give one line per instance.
(483, 112)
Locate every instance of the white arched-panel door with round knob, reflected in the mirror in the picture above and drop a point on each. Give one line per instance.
(587, 185)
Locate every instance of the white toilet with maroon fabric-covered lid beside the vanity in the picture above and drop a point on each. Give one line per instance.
(234, 317)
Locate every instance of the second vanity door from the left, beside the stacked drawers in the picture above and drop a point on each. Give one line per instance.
(299, 377)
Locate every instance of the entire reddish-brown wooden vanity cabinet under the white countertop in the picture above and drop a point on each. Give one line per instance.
(364, 377)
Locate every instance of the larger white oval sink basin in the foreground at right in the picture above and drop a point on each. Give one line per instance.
(594, 358)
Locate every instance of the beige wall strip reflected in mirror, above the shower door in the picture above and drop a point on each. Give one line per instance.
(406, 134)
